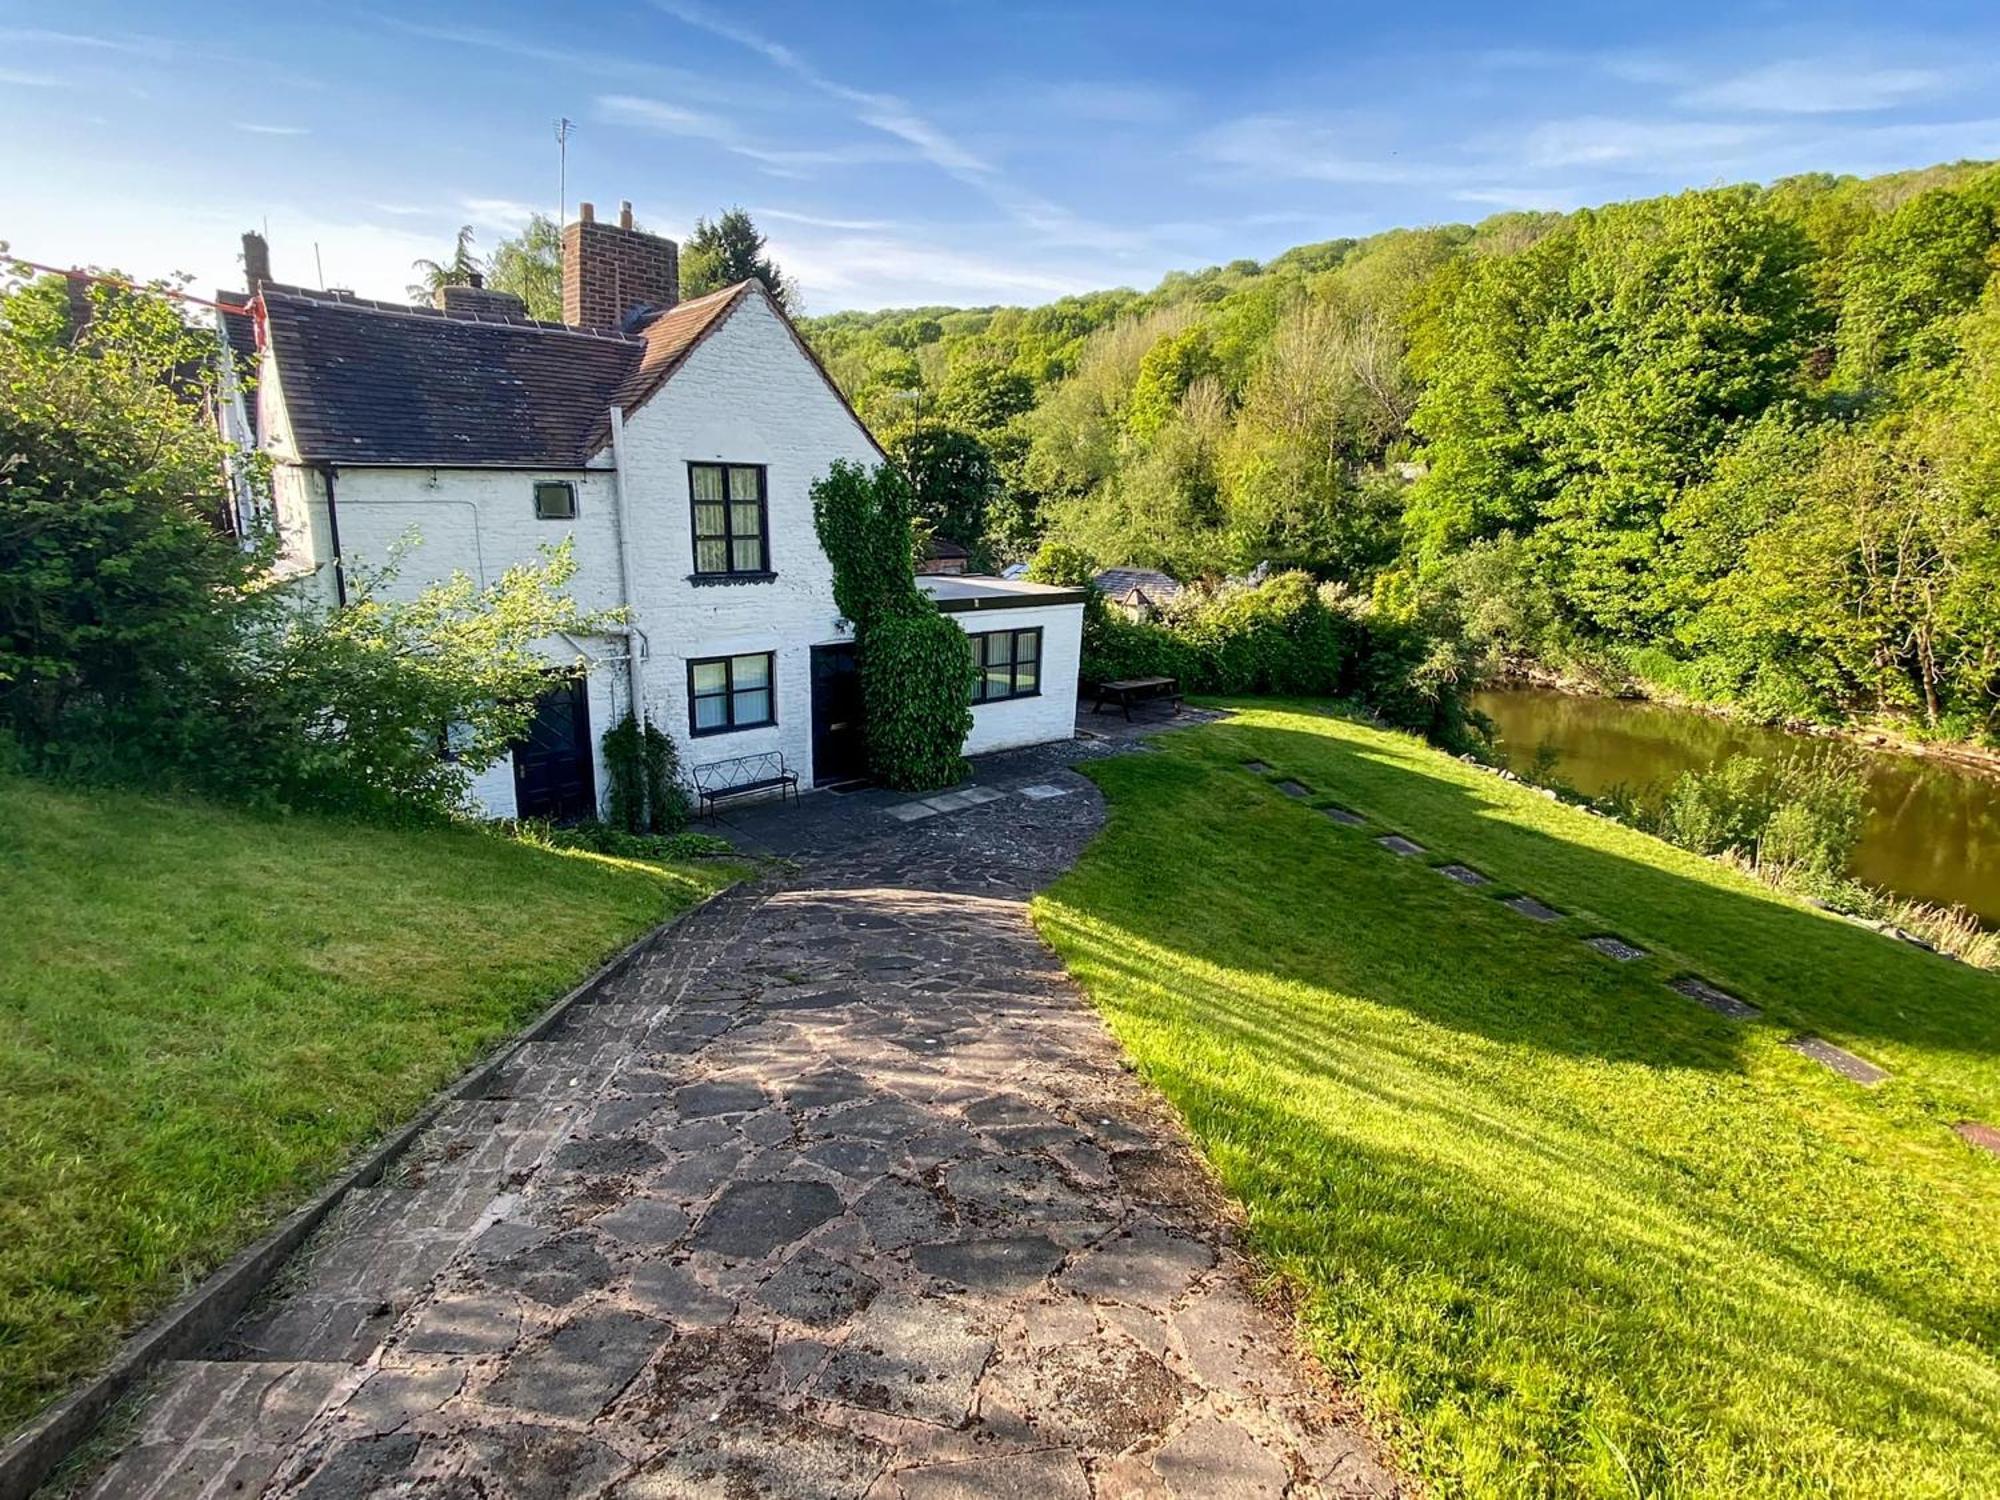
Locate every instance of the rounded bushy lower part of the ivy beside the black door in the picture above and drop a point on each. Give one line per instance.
(917, 693)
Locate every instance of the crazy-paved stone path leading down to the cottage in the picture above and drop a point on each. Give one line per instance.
(839, 1191)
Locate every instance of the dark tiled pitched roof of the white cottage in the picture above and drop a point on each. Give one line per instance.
(379, 383)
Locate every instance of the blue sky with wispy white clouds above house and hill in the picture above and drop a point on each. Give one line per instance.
(933, 153)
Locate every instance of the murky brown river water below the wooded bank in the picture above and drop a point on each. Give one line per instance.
(1933, 827)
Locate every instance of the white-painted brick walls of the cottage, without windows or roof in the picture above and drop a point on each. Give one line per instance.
(749, 397)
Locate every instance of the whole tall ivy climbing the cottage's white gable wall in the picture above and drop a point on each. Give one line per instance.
(917, 667)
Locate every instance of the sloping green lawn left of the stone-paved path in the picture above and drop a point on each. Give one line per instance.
(203, 1015)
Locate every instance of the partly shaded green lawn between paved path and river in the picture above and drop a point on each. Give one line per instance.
(1561, 1229)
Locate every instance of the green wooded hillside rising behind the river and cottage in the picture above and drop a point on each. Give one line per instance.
(1743, 443)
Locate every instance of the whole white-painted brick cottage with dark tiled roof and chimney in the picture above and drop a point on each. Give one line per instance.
(675, 443)
